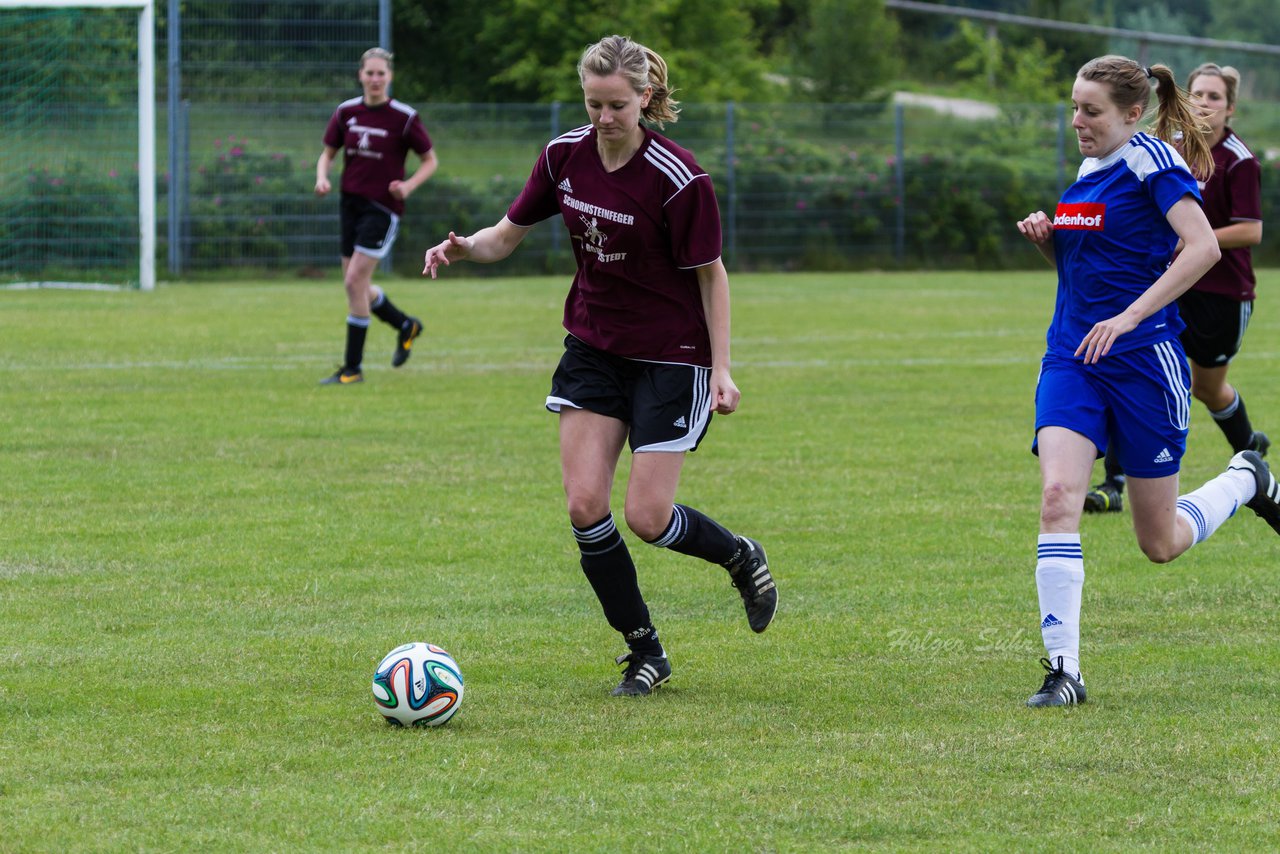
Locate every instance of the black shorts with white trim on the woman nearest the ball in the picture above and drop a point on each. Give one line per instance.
(666, 407)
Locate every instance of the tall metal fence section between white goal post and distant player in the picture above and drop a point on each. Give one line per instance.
(243, 81)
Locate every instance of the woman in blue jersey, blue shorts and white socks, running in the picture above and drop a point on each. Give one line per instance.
(1114, 369)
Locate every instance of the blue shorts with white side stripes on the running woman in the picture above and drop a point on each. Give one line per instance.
(1140, 400)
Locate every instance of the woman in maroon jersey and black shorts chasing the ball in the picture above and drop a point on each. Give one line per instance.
(647, 358)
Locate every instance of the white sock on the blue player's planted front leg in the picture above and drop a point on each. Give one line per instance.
(1060, 582)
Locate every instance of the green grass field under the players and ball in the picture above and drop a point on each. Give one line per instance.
(204, 555)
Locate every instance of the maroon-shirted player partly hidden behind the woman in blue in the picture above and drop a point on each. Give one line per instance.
(1218, 308)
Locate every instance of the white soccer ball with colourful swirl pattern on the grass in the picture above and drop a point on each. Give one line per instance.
(418, 686)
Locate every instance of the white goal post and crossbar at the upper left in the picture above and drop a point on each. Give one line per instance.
(147, 120)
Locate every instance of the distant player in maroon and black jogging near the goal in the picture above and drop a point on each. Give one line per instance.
(376, 134)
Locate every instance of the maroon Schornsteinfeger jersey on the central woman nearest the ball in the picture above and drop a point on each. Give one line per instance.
(639, 234)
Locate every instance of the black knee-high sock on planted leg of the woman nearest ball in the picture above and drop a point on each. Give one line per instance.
(607, 565)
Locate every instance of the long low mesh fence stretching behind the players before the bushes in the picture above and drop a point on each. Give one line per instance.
(801, 186)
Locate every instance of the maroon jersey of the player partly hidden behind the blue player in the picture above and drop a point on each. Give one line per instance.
(1233, 195)
